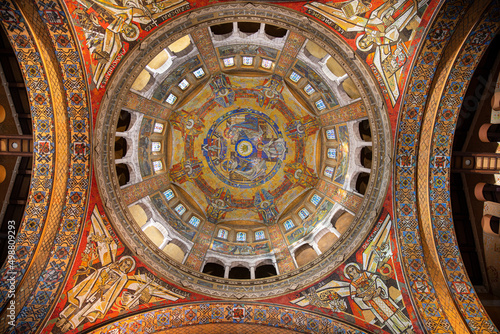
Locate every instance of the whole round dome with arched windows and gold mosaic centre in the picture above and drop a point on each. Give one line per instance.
(256, 144)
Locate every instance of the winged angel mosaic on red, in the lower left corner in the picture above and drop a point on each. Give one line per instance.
(107, 282)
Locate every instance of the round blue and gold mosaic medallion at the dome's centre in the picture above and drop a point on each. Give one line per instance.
(244, 148)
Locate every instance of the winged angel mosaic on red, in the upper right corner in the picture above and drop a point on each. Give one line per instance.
(383, 31)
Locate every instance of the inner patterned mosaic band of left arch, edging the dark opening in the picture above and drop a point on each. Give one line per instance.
(37, 85)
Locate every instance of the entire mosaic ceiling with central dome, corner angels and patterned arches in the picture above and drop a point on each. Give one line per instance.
(253, 133)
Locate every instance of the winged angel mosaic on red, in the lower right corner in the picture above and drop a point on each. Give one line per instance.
(365, 287)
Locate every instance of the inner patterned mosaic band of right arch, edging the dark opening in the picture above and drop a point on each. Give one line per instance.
(439, 197)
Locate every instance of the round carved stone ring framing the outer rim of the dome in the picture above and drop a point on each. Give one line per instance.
(376, 109)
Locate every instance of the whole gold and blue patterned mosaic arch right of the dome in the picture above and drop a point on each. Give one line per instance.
(410, 144)
